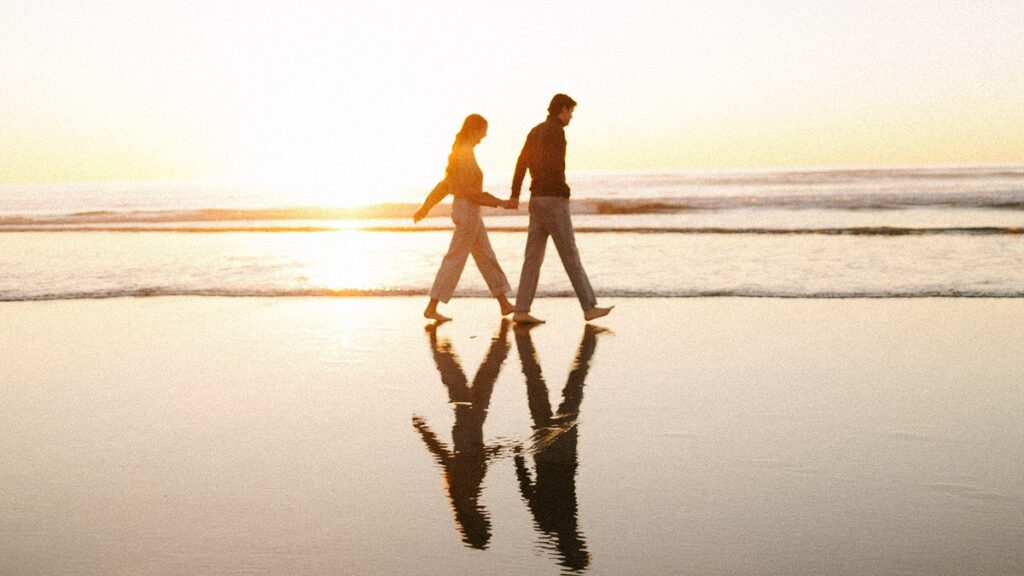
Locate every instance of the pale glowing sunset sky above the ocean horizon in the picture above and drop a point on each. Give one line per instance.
(323, 93)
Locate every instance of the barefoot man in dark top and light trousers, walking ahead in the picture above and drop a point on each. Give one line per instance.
(544, 156)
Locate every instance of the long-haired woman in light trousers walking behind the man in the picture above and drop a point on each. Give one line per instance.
(464, 181)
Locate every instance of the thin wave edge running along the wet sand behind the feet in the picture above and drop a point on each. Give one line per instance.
(311, 293)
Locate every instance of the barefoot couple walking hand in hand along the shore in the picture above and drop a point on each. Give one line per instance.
(544, 156)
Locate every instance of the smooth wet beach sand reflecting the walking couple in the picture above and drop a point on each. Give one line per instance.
(708, 436)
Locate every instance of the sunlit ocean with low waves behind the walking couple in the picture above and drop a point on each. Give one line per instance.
(837, 233)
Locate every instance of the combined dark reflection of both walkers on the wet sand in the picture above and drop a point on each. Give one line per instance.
(548, 489)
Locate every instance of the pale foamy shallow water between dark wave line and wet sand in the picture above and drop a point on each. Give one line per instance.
(50, 266)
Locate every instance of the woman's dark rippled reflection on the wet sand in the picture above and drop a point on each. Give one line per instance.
(466, 464)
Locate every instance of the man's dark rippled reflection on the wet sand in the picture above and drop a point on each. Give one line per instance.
(551, 495)
